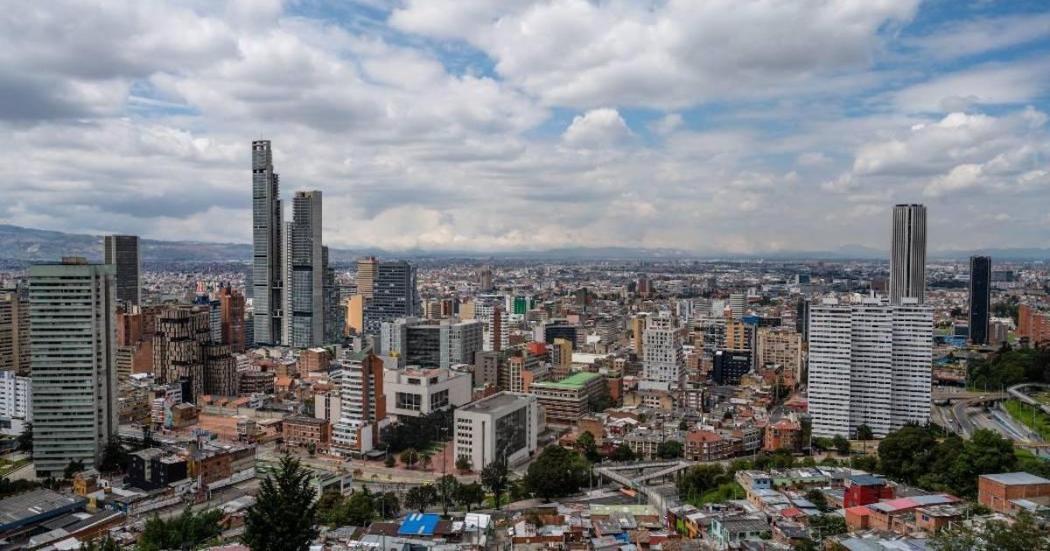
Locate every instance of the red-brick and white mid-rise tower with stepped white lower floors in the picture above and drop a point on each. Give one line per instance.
(364, 405)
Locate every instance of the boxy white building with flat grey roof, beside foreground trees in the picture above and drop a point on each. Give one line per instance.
(505, 427)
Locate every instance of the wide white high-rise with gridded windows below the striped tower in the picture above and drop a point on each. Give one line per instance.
(870, 365)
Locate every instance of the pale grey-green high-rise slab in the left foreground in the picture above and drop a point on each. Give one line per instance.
(74, 343)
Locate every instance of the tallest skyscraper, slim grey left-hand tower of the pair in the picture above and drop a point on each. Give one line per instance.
(267, 245)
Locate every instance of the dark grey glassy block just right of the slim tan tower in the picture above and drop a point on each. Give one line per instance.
(394, 295)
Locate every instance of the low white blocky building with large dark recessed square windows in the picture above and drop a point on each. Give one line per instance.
(415, 392)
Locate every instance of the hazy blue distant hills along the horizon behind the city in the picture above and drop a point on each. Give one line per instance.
(23, 246)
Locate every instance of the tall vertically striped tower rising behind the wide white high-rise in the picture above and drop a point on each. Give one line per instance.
(908, 257)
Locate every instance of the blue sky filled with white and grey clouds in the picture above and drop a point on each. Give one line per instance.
(485, 125)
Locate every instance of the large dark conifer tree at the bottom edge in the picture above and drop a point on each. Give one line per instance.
(284, 516)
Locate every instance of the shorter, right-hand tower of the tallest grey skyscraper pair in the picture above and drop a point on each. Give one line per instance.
(305, 273)
